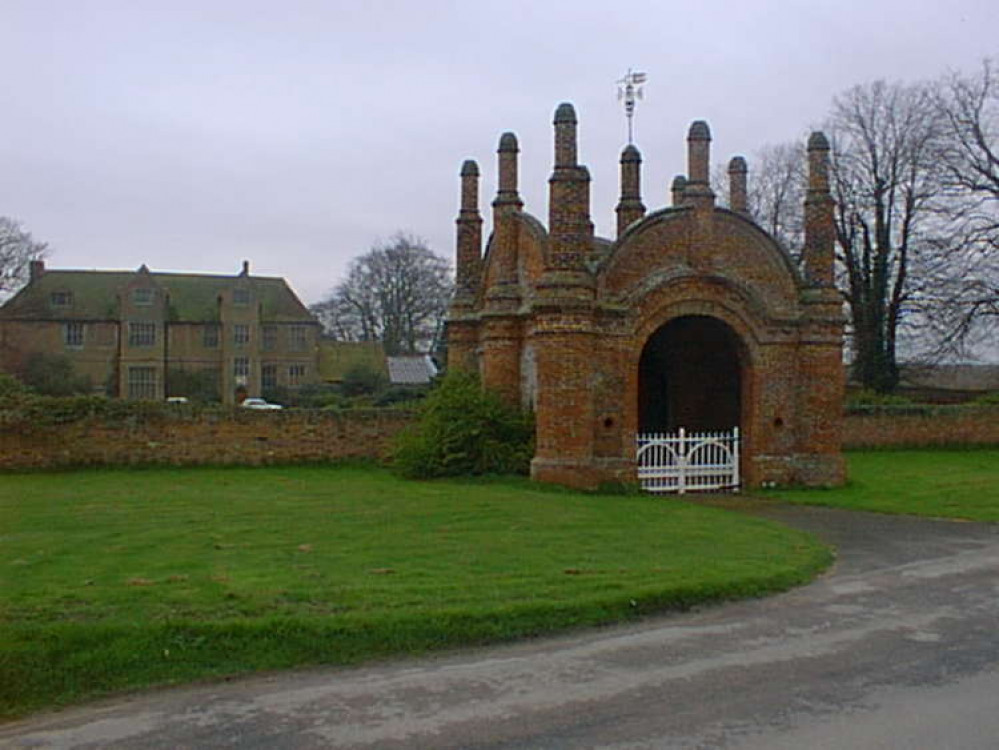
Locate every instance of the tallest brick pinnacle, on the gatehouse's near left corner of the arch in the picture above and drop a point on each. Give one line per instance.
(569, 224)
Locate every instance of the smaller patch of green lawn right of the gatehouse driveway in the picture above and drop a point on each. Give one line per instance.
(937, 483)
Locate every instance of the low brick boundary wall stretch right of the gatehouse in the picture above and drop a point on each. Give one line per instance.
(886, 427)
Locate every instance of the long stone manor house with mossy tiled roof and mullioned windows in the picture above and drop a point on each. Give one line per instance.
(145, 335)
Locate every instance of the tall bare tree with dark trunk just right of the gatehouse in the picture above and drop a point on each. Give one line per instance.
(890, 226)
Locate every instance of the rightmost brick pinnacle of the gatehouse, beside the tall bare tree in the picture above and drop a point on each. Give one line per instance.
(819, 228)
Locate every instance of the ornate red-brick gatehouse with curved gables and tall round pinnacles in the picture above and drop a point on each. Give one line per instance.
(693, 318)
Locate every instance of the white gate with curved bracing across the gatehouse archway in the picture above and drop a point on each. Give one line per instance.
(689, 461)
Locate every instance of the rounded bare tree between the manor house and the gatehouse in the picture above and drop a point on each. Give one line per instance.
(396, 293)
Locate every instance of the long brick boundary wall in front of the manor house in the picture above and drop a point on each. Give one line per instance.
(189, 438)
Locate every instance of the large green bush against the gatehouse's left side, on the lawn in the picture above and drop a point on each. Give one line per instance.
(465, 430)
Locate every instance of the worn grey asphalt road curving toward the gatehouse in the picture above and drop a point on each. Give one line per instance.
(895, 648)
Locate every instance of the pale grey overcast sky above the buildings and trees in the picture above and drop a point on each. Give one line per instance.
(190, 135)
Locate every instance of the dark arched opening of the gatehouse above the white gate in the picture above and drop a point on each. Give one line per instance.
(690, 376)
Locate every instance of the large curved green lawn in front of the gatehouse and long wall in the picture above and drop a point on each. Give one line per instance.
(113, 580)
